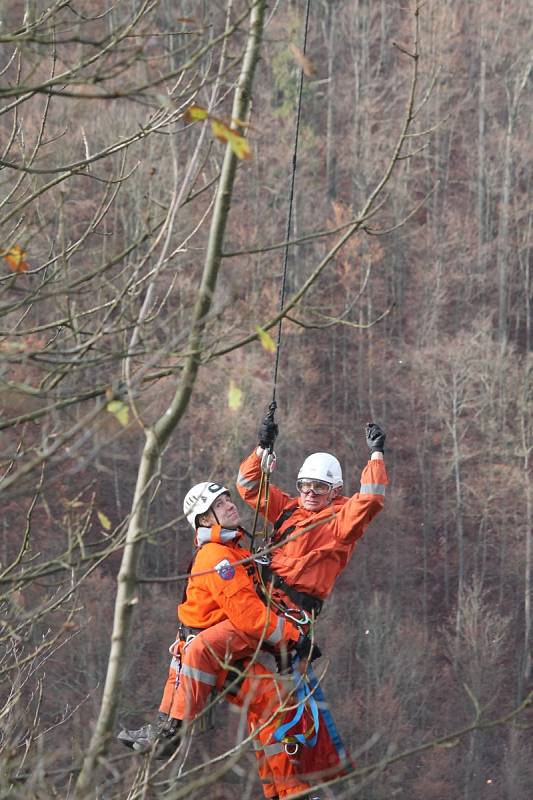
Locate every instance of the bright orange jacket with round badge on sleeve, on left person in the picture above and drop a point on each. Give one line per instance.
(224, 589)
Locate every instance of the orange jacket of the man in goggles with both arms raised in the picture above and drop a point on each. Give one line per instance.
(312, 562)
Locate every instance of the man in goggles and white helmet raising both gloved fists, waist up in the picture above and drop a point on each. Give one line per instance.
(316, 531)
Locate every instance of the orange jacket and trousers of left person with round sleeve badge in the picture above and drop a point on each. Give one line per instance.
(221, 599)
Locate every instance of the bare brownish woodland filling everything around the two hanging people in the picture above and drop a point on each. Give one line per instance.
(137, 348)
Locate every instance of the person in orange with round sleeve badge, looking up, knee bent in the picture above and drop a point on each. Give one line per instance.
(223, 621)
